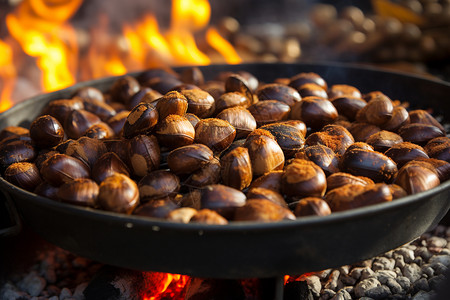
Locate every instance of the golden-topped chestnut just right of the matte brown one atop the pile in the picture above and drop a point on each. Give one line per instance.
(200, 103)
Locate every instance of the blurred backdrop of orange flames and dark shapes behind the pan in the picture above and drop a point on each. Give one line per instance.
(46, 45)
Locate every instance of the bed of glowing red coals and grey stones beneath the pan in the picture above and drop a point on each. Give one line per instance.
(35, 269)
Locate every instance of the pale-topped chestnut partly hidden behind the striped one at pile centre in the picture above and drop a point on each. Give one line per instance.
(240, 118)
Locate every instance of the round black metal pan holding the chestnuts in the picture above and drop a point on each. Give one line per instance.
(243, 250)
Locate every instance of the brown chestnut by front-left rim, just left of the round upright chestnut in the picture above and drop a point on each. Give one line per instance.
(81, 191)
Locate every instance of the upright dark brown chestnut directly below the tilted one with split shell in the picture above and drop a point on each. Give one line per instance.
(144, 155)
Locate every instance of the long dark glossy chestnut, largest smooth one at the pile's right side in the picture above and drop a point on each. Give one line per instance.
(372, 164)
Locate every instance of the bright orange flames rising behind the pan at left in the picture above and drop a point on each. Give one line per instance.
(41, 28)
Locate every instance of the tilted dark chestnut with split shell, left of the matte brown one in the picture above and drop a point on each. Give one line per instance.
(141, 120)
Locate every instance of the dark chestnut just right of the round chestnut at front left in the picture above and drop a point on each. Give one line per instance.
(157, 185)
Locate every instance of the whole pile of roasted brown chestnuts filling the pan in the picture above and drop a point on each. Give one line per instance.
(174, 146)
